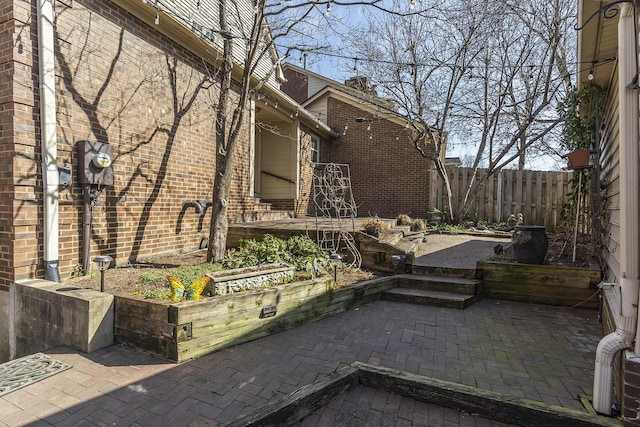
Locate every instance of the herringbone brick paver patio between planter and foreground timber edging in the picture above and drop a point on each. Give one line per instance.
(538, 352)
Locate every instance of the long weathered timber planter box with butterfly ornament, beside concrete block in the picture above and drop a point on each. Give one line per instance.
(186, 330)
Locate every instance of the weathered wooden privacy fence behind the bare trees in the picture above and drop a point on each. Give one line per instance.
(538, 195)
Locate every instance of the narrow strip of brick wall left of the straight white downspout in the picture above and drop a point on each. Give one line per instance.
(20, 182)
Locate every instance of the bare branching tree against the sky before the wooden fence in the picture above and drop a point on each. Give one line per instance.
(488, 74)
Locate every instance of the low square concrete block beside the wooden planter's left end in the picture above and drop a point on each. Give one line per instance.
(50, 314)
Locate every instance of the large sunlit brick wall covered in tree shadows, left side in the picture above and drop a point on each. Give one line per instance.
(118, 82)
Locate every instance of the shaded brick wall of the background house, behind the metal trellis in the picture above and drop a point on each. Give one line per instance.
(388, 175)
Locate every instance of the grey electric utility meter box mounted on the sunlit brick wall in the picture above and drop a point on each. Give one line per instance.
(95, 161)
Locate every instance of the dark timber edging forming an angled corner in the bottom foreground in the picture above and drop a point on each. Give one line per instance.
(512, 410)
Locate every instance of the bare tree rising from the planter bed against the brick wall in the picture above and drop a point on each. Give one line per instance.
(251, 38)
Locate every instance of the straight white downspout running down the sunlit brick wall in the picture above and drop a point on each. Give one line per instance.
(50, 175)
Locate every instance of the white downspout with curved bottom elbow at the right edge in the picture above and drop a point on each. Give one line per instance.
(629, 220)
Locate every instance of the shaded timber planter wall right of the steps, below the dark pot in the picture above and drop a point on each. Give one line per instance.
(542, 284)
